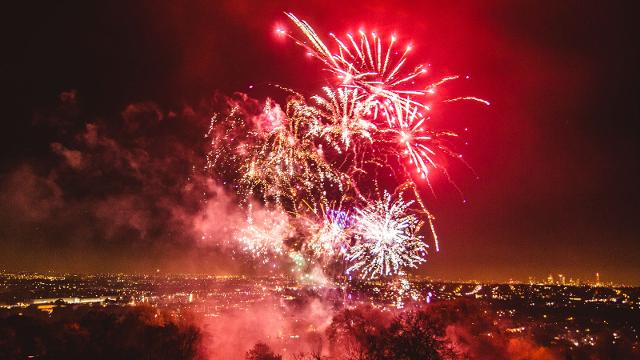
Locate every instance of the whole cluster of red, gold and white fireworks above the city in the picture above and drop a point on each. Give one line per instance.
(332, 149)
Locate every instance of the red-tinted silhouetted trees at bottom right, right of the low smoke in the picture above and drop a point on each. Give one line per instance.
(461, 329)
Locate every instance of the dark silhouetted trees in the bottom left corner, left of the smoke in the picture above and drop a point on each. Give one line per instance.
(97, 333)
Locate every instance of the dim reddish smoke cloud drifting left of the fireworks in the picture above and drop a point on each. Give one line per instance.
(112, 187)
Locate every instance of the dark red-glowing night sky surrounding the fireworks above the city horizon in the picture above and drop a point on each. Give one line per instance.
(556, 152)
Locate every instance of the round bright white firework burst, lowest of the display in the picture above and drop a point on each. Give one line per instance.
(387, 239)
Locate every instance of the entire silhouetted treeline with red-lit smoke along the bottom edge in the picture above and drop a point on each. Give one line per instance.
(461, 329)
